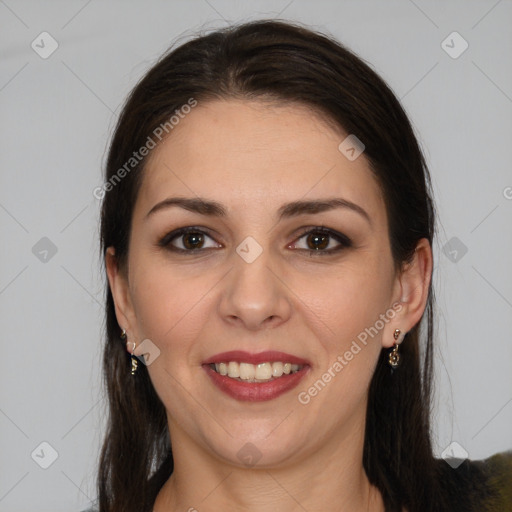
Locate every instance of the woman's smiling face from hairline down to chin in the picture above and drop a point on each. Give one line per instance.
(313, 288)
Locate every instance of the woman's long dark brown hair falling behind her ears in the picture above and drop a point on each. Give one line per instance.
(279, 61)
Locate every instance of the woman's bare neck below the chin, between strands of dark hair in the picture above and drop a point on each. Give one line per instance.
(332, 478)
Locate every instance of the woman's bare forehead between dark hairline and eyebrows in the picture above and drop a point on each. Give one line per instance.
(242, 153)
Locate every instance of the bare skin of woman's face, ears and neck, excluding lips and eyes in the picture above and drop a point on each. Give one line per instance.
(253, 157)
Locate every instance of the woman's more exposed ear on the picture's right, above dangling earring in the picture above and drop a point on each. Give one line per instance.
(411, 293)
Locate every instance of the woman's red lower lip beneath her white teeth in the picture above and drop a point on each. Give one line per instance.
(256, 391)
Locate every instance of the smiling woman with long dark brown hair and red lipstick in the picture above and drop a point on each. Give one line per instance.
(267, 225)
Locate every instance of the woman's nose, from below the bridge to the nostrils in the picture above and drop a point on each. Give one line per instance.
(255, 295)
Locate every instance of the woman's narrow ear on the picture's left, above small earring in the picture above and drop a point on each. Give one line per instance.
(118, 282)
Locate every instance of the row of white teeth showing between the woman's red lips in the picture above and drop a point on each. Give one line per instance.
(262, 372)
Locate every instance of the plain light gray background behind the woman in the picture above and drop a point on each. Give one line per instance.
(56, 118)
